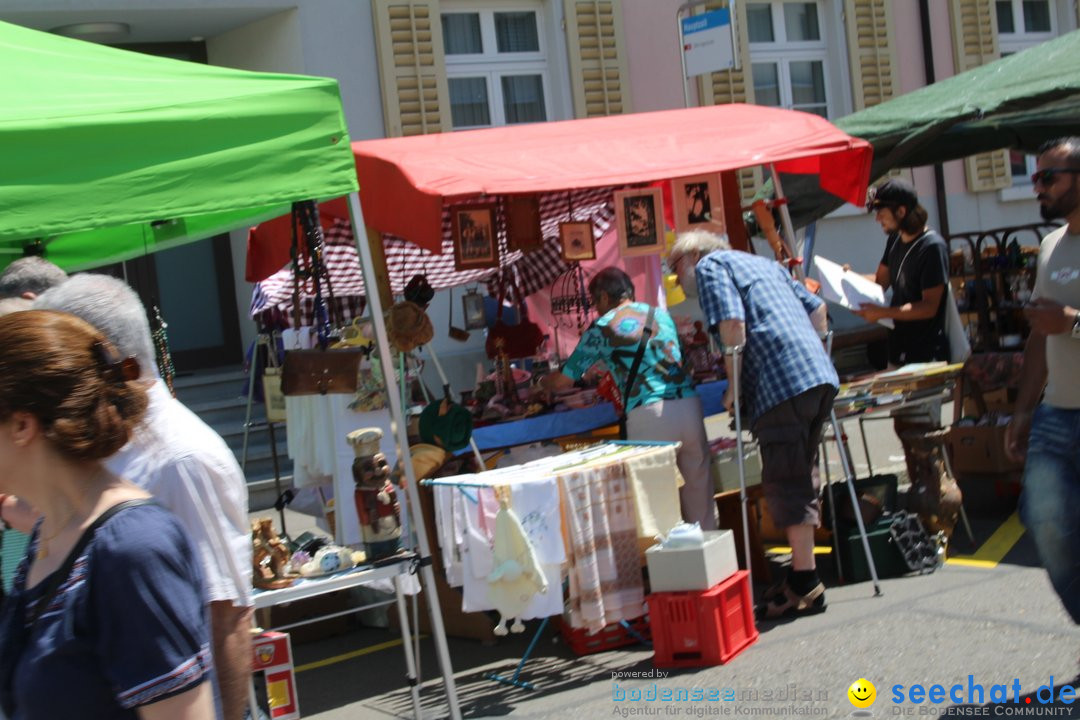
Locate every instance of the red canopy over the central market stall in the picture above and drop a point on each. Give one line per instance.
(407, 183)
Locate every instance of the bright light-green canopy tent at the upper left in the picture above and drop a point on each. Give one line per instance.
(110, 155)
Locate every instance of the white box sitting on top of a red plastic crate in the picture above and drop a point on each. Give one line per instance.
(673, 570)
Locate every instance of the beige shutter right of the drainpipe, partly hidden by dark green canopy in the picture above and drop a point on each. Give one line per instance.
(976, 44)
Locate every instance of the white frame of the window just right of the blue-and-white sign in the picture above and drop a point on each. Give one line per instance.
(782, 53)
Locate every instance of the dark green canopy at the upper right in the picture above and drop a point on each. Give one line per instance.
(1018, 102)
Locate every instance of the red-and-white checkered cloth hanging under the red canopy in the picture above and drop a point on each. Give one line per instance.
(534, 271)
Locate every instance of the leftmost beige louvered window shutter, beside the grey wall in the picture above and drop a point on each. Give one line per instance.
(409, 38)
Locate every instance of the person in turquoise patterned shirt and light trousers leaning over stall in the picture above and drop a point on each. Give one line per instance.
(663, 404)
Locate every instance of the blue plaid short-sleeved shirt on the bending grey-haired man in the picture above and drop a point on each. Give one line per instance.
(784, 357)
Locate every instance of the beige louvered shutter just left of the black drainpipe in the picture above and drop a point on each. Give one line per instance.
(869, 25)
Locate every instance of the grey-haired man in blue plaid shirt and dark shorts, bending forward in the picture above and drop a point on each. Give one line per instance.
(788, 385)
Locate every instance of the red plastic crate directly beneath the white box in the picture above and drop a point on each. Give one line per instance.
(703, 628)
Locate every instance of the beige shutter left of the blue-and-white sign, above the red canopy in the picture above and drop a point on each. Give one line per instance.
(595, 42)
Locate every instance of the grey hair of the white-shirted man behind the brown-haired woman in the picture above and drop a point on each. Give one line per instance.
(112, 307)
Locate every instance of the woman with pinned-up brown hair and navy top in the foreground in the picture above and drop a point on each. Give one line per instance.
(106, 617)
